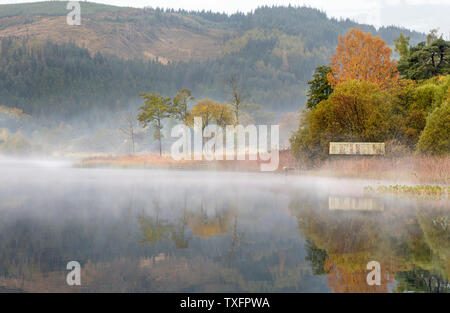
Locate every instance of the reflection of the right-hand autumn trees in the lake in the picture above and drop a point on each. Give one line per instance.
(411, 244)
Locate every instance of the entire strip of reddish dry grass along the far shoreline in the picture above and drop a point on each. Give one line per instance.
(429, 170)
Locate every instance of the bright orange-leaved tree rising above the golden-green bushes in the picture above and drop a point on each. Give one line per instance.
(361, 56)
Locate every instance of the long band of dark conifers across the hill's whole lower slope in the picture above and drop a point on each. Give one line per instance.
(65, 80)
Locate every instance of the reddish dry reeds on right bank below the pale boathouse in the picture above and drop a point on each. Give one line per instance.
(414, 169)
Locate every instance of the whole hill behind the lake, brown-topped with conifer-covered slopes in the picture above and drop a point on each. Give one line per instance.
(49, 66)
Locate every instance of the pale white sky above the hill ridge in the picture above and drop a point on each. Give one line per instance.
(421, 15)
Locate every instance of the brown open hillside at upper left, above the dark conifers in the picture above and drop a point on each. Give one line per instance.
(125, 32)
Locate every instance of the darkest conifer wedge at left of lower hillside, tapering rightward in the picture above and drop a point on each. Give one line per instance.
(64, 79)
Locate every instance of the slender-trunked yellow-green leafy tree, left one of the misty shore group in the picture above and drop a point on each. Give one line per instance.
(154, 111)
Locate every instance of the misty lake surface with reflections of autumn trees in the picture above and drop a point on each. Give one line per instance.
(186, 231)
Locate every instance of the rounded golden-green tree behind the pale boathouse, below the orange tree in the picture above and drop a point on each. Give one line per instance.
(355, 111)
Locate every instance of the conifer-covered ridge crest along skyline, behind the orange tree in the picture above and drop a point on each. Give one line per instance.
(318, 29)
